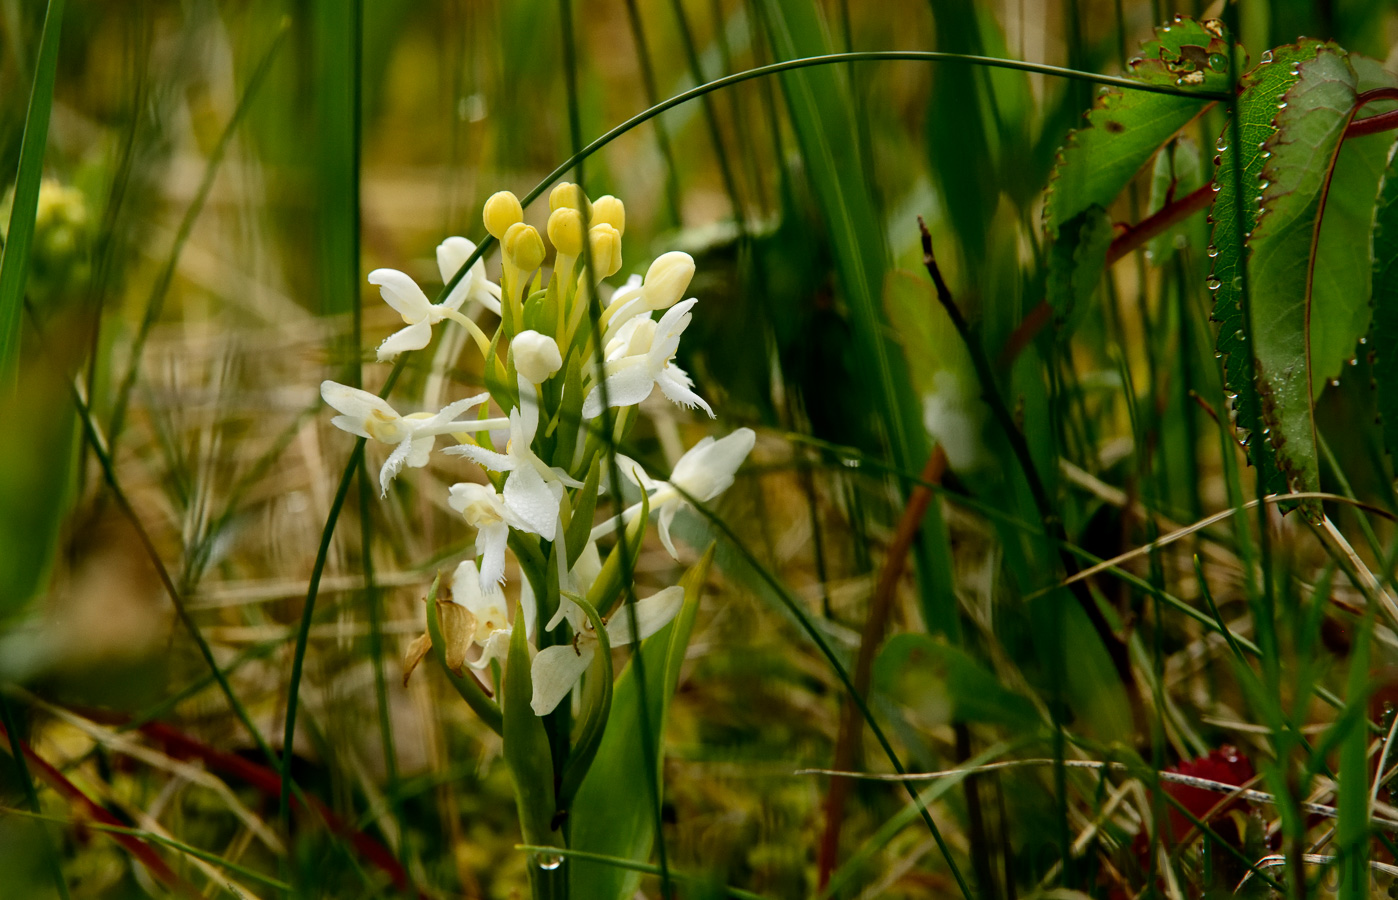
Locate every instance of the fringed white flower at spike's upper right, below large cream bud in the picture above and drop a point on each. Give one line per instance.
(640, 358)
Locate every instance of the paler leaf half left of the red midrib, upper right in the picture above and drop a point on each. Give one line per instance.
(1311, 126)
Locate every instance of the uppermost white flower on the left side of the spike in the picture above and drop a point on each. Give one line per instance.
(420, 314)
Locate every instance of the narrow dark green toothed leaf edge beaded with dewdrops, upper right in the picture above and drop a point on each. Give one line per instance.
(1256, 110)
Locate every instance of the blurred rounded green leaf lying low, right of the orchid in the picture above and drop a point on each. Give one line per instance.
(947, 685)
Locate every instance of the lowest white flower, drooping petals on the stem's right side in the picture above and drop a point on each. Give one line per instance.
(557, 670)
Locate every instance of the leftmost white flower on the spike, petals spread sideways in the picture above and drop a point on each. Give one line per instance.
(368, 416)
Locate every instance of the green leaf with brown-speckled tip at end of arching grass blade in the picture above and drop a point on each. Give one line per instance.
(1126, 128)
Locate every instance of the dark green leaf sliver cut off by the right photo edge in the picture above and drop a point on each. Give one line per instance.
(1385, 328)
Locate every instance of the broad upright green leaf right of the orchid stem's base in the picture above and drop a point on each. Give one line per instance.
(614, 813)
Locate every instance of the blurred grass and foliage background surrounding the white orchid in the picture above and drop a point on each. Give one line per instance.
(215, 194)
